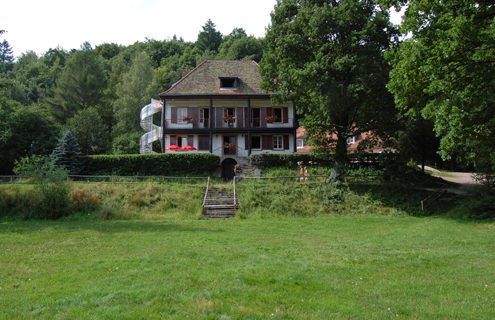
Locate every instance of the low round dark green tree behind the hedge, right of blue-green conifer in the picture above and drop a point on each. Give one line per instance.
(90, 131)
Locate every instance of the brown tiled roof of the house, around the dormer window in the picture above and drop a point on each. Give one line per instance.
(205, 79)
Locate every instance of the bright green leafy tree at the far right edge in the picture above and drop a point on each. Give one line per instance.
(445, 72)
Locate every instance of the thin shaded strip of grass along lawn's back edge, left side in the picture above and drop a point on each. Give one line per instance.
(105, 226)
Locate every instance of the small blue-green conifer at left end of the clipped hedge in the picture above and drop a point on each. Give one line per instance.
(67, 154)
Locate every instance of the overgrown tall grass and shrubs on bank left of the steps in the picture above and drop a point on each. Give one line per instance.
(145, 201)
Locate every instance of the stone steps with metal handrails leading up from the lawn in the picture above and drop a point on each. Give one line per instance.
(219, 203)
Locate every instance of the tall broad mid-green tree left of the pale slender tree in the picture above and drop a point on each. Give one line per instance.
(80, 85)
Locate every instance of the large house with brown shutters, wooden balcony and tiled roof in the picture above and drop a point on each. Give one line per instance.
(220, 108)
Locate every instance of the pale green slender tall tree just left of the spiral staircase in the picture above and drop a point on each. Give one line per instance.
(132, 94)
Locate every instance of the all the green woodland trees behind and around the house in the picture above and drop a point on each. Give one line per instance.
(425, 86)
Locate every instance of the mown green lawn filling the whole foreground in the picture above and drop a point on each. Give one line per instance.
(277, 268)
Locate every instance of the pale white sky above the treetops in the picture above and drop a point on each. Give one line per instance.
(40, 25)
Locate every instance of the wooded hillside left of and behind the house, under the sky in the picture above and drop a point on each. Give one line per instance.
(96, 92)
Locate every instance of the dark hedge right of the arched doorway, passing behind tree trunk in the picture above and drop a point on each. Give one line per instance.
(266, 160)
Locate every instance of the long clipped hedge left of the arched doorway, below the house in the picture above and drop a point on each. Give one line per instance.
(159, 164)
